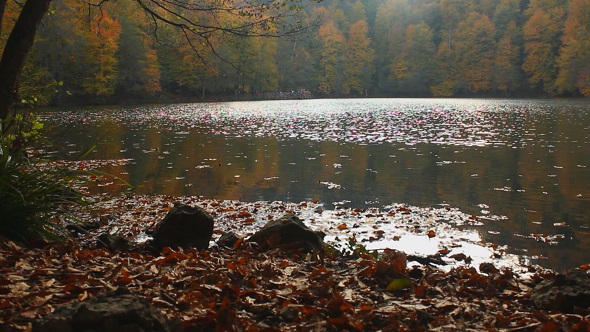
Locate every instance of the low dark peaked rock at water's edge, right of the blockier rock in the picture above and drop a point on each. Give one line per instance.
(287, 232)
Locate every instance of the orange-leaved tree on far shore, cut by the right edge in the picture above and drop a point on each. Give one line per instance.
(573, 61)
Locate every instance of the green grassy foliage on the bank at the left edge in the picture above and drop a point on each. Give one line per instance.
(30, 196)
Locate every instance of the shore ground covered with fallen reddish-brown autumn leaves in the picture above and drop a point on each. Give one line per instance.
(246, 289)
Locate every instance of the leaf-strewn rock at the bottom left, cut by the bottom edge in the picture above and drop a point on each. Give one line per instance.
(107, 312)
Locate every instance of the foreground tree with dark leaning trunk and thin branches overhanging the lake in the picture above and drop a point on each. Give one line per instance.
(268, 18)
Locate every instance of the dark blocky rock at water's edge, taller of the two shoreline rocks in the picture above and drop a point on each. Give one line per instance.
(184, 226)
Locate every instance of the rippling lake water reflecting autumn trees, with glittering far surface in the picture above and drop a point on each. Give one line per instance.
(521, 166)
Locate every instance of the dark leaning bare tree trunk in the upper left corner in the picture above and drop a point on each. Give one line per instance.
(16, 50)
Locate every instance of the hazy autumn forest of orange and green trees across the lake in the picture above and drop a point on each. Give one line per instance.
(112, 53)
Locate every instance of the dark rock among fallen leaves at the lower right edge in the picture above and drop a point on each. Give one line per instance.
(564, 292)
